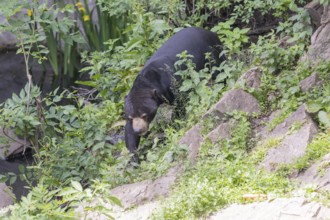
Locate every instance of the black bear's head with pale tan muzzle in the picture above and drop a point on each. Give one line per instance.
(140, 110)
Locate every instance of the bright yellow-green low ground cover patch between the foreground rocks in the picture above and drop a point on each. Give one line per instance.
(223, 174)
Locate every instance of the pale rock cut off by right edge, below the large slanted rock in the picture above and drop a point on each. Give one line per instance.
(318, 174)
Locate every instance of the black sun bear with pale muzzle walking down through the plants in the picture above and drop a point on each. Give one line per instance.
(153, 85)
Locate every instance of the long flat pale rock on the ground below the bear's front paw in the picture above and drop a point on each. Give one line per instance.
(148, 190)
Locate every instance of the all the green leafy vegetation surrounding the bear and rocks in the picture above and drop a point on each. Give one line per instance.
(78, 152)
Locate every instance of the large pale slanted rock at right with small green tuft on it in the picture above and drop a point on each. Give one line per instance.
(294, 144)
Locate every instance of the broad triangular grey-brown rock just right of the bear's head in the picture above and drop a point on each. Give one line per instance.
(236, 99)
